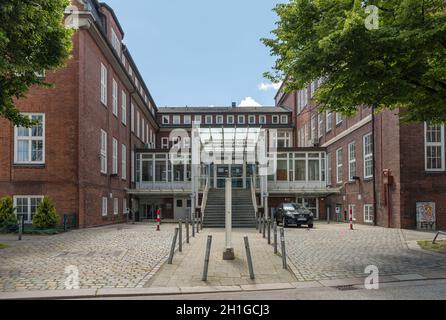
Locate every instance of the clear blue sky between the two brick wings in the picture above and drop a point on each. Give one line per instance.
(201, 52)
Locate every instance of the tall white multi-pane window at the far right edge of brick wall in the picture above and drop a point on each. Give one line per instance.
(434, 147)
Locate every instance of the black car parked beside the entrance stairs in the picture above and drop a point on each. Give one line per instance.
(293, 213)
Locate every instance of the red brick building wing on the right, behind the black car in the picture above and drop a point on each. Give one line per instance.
(384, 169)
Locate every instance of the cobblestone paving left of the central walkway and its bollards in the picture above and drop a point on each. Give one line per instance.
(121, 256)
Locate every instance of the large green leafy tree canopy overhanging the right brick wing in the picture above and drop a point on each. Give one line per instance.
(399, 64)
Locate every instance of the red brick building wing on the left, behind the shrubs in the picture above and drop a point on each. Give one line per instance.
(99, 112)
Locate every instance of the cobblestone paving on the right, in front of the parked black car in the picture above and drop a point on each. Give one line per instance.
(335, 252)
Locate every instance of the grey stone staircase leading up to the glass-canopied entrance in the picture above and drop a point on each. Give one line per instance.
(243, 215)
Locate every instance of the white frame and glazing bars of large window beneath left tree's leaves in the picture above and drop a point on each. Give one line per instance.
(29, 138)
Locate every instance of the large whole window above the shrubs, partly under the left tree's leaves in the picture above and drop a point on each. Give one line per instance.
(29, 143)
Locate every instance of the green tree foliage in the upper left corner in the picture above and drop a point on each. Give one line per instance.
(33, 39)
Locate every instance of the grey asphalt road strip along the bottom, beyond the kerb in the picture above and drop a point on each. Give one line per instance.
(408, 290)
